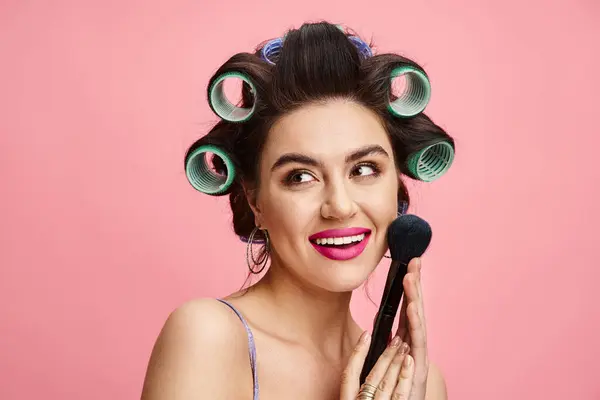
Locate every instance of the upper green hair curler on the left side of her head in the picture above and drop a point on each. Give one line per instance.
(223, 107)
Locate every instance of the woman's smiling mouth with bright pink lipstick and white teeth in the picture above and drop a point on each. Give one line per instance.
(341, 244)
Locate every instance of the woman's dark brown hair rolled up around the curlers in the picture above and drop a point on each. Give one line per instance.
(317, 62)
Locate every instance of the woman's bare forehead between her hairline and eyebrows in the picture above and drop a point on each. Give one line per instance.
(326, 131)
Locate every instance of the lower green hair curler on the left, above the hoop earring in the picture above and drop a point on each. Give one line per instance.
(205, 179)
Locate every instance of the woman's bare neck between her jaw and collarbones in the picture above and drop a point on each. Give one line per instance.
(307, 315)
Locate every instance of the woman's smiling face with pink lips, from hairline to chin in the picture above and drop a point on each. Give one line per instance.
(328, 191)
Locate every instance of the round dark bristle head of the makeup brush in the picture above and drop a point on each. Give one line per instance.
(408, 237)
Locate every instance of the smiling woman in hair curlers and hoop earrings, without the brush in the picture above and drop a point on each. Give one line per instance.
(312, 162)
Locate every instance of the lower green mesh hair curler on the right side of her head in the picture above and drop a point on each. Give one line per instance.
(431, 162)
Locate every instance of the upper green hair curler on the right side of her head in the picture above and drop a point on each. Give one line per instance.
(417, 94)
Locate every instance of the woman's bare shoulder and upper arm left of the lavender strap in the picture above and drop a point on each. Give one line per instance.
(202, 348)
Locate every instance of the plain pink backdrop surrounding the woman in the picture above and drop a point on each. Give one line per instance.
(102, 236)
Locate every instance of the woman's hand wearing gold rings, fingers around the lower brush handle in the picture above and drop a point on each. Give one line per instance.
(390, 378)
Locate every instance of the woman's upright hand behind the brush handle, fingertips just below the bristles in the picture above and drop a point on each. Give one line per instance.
(412, 328)
